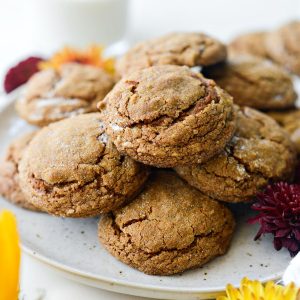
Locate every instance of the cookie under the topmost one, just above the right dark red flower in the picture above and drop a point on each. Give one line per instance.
(259, 153)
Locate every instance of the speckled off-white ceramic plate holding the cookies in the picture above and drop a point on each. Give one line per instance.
(71, 245)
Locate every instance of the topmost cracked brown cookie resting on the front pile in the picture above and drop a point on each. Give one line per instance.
(166, 116)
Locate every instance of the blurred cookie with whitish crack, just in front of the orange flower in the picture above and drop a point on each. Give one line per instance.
(51, 95)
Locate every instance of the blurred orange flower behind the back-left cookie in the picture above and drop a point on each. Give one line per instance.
(91, 56)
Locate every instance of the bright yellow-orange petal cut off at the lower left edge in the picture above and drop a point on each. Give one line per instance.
(9, 257)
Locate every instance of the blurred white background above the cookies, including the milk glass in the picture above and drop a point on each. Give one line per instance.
(41, 26)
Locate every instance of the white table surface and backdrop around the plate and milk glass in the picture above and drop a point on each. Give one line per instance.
(147, 18)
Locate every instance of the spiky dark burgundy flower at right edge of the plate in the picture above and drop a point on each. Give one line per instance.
(279, 214)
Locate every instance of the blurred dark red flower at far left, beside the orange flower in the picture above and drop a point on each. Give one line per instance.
(21, 73)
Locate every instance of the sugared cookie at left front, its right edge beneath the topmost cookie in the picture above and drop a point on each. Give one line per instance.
(72, 169)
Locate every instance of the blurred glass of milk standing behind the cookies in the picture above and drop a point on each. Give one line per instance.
(77, 23)
